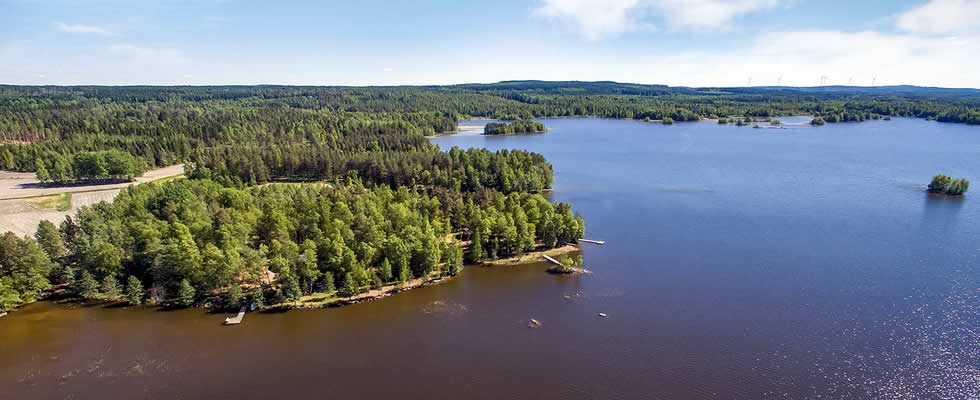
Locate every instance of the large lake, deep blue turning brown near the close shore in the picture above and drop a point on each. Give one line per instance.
(741, 264)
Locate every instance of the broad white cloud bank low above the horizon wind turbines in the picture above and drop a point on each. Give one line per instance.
(800, 58)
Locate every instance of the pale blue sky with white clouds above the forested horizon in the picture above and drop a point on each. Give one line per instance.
(371, 42)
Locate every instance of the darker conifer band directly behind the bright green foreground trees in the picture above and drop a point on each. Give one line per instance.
(467, 170)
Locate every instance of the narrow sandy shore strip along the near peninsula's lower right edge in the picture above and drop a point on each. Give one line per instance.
(327, 300)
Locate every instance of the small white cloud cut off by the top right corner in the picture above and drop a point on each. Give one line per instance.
(942, 17)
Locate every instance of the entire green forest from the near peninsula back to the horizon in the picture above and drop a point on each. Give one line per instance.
(332, 190)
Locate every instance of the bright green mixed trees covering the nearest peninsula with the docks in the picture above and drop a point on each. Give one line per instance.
(192, 241)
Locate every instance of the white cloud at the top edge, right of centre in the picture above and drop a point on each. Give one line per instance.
(599, 18)
